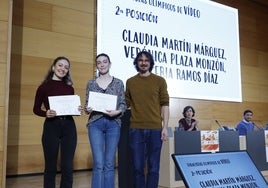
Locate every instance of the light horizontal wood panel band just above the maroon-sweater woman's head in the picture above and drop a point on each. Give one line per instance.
(55, 44)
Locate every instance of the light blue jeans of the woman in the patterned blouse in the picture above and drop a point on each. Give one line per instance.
(104, 136)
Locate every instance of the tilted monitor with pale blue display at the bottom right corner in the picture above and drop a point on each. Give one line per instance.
(219, 170)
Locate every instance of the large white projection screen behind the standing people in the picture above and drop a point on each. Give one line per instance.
(195, 44)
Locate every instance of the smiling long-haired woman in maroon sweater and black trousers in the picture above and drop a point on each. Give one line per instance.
(58, 131)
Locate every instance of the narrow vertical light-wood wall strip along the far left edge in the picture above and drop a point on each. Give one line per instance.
(5, 38)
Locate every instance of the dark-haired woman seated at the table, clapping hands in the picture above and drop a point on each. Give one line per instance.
(188, 123)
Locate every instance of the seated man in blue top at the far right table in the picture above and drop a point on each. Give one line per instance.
(246, 123)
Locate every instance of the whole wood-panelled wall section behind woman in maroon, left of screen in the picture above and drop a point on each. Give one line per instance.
(43, 30)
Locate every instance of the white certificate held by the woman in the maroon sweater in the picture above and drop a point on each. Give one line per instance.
(65, 104)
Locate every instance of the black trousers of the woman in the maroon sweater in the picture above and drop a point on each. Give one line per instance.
(59, 133)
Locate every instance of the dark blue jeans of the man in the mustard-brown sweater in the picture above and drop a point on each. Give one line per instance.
(145, 145)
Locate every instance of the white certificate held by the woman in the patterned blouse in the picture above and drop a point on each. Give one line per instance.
(102, 102)
